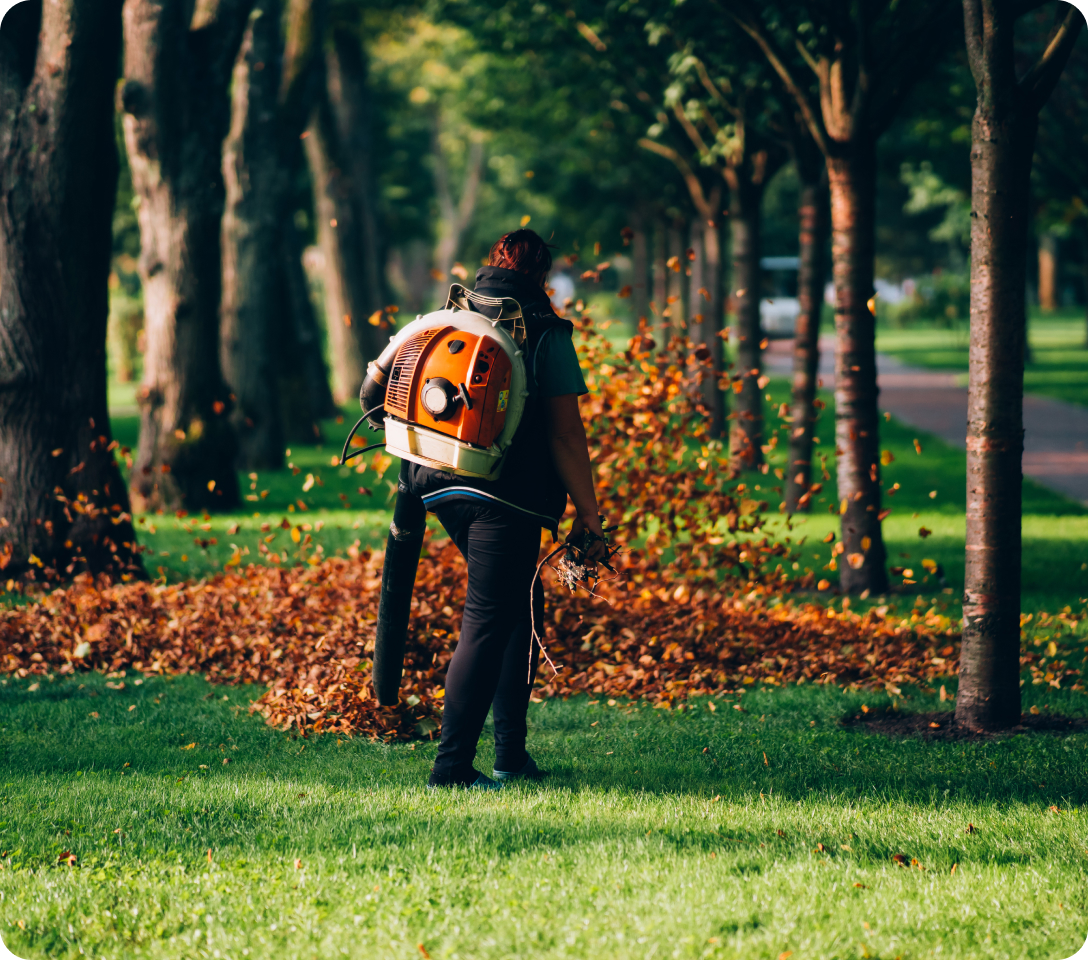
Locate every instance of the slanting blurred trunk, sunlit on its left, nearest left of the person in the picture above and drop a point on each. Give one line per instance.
(339, 147)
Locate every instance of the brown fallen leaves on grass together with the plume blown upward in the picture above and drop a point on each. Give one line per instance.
(701, 604)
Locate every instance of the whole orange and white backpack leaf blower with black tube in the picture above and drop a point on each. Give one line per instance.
(449, 391)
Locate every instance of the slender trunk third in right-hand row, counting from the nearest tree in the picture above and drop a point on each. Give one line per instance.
(813, 219)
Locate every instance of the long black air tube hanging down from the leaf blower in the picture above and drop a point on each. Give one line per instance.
(399, 579)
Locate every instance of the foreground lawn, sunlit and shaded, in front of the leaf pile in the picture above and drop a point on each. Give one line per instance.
(660, 834)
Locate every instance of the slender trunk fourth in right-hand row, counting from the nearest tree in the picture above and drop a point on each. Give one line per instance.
(746, 439)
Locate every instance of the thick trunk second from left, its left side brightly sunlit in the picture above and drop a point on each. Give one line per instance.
(177, 114)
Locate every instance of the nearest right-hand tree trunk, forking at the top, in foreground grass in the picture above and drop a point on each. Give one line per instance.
(1004, 136)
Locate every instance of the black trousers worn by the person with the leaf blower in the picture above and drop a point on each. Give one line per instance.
(493, 664)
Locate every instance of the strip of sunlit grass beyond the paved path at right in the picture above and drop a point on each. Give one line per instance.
(1059, 366)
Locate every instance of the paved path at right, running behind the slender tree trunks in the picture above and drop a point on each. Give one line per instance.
(1056, 434)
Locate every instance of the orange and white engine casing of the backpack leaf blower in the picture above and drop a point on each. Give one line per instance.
(455, 392)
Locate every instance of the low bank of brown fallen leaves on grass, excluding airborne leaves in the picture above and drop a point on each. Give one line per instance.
(308, 632)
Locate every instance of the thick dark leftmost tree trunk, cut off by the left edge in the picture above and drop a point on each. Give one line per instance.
(64, 507)
